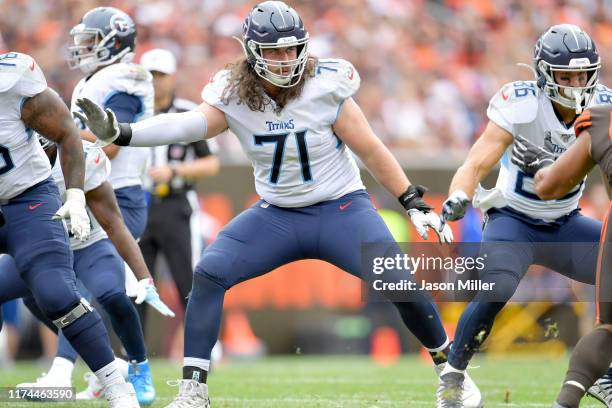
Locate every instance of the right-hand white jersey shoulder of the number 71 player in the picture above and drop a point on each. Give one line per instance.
(340, 75)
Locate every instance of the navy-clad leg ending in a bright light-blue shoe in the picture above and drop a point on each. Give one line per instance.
(100, 268)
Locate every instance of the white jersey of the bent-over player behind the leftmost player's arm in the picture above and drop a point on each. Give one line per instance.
(97, 170)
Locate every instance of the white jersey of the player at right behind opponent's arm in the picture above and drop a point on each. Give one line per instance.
(521, 109)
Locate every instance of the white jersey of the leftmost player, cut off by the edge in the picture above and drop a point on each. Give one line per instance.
(23, 162)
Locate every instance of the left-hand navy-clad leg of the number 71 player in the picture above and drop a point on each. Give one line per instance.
(257, 241)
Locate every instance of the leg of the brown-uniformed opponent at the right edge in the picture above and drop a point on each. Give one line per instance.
(592, 355)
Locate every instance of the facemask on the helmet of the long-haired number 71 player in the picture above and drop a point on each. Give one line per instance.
(266, 68)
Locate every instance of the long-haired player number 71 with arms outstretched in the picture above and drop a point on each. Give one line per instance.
(296, 120)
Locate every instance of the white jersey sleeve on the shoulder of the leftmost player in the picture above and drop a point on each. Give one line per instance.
(21, 74)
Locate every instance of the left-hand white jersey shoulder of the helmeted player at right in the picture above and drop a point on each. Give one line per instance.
(515, 103)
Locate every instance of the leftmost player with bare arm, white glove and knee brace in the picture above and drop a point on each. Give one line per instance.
(30, 199)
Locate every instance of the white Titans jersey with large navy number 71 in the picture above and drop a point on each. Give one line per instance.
(297, 158)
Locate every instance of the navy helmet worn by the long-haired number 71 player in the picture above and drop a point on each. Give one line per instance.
(273, 24)
